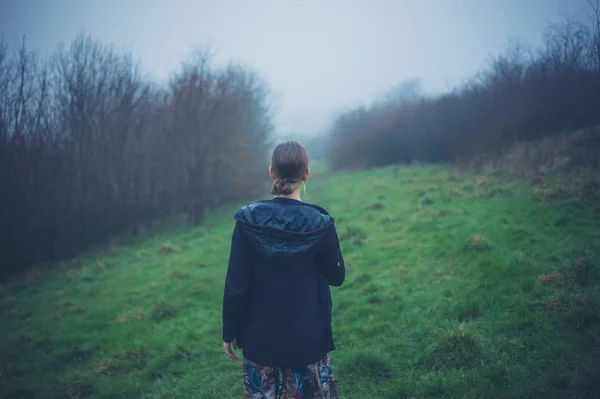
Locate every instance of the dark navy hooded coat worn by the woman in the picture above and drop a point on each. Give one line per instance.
(277, 304)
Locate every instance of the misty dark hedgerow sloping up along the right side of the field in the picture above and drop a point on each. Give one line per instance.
(522, 95)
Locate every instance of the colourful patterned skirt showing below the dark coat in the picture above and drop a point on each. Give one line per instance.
(314, 381)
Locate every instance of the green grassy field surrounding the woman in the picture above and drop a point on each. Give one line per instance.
(458, 286)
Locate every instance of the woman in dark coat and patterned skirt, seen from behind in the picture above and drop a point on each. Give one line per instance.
(277, 304)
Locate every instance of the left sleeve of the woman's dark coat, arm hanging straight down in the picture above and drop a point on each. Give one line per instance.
(237, 284)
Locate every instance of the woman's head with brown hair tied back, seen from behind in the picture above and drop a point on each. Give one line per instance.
(289, 167)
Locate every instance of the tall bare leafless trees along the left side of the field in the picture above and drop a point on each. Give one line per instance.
(90, 149)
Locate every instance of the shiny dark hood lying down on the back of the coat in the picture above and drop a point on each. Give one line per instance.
(284, 226)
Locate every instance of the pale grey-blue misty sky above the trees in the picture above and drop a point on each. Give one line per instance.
(318, 56)
